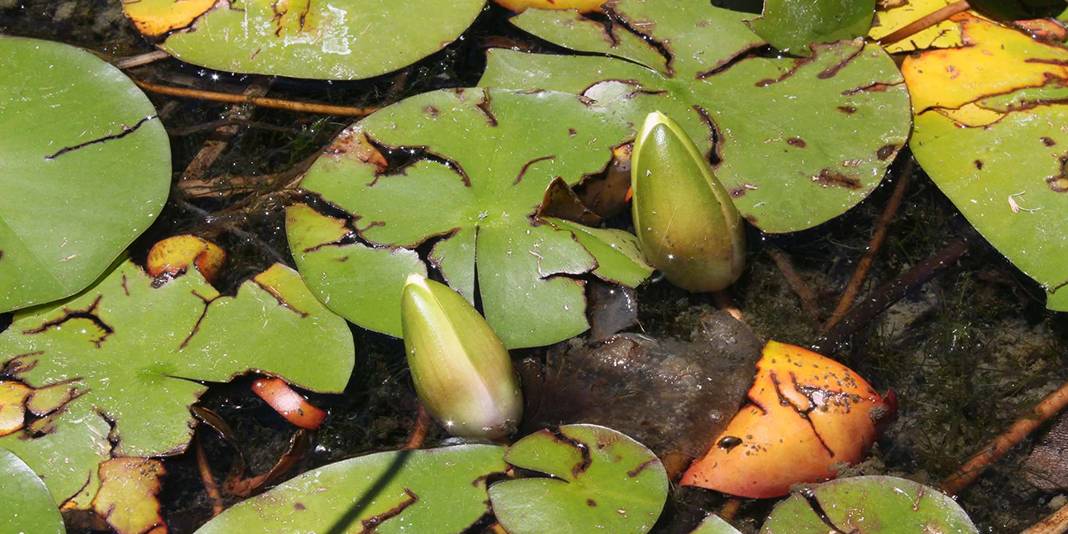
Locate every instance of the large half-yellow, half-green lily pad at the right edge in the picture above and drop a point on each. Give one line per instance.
(999, 105)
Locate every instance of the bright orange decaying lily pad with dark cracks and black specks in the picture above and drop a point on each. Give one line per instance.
(807, 417)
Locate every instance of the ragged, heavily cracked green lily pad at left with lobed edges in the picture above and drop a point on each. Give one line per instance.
(117, 369)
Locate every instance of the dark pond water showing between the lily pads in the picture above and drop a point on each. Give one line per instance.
(967, 353)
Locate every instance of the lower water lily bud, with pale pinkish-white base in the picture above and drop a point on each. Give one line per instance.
(462, 371)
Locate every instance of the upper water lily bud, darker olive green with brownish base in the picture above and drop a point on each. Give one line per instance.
(686, 223)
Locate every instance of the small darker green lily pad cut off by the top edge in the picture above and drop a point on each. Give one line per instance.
(792, 26)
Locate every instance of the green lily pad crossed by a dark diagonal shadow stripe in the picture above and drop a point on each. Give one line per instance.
(435, 491)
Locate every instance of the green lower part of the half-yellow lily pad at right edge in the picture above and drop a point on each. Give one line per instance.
(1011, 181)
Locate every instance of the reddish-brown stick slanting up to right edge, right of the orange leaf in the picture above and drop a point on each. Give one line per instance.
(1046, 410)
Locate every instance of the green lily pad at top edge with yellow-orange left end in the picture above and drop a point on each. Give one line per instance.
(341, 40)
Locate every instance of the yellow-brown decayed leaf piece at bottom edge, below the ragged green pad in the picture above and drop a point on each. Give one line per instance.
(128, 499)
